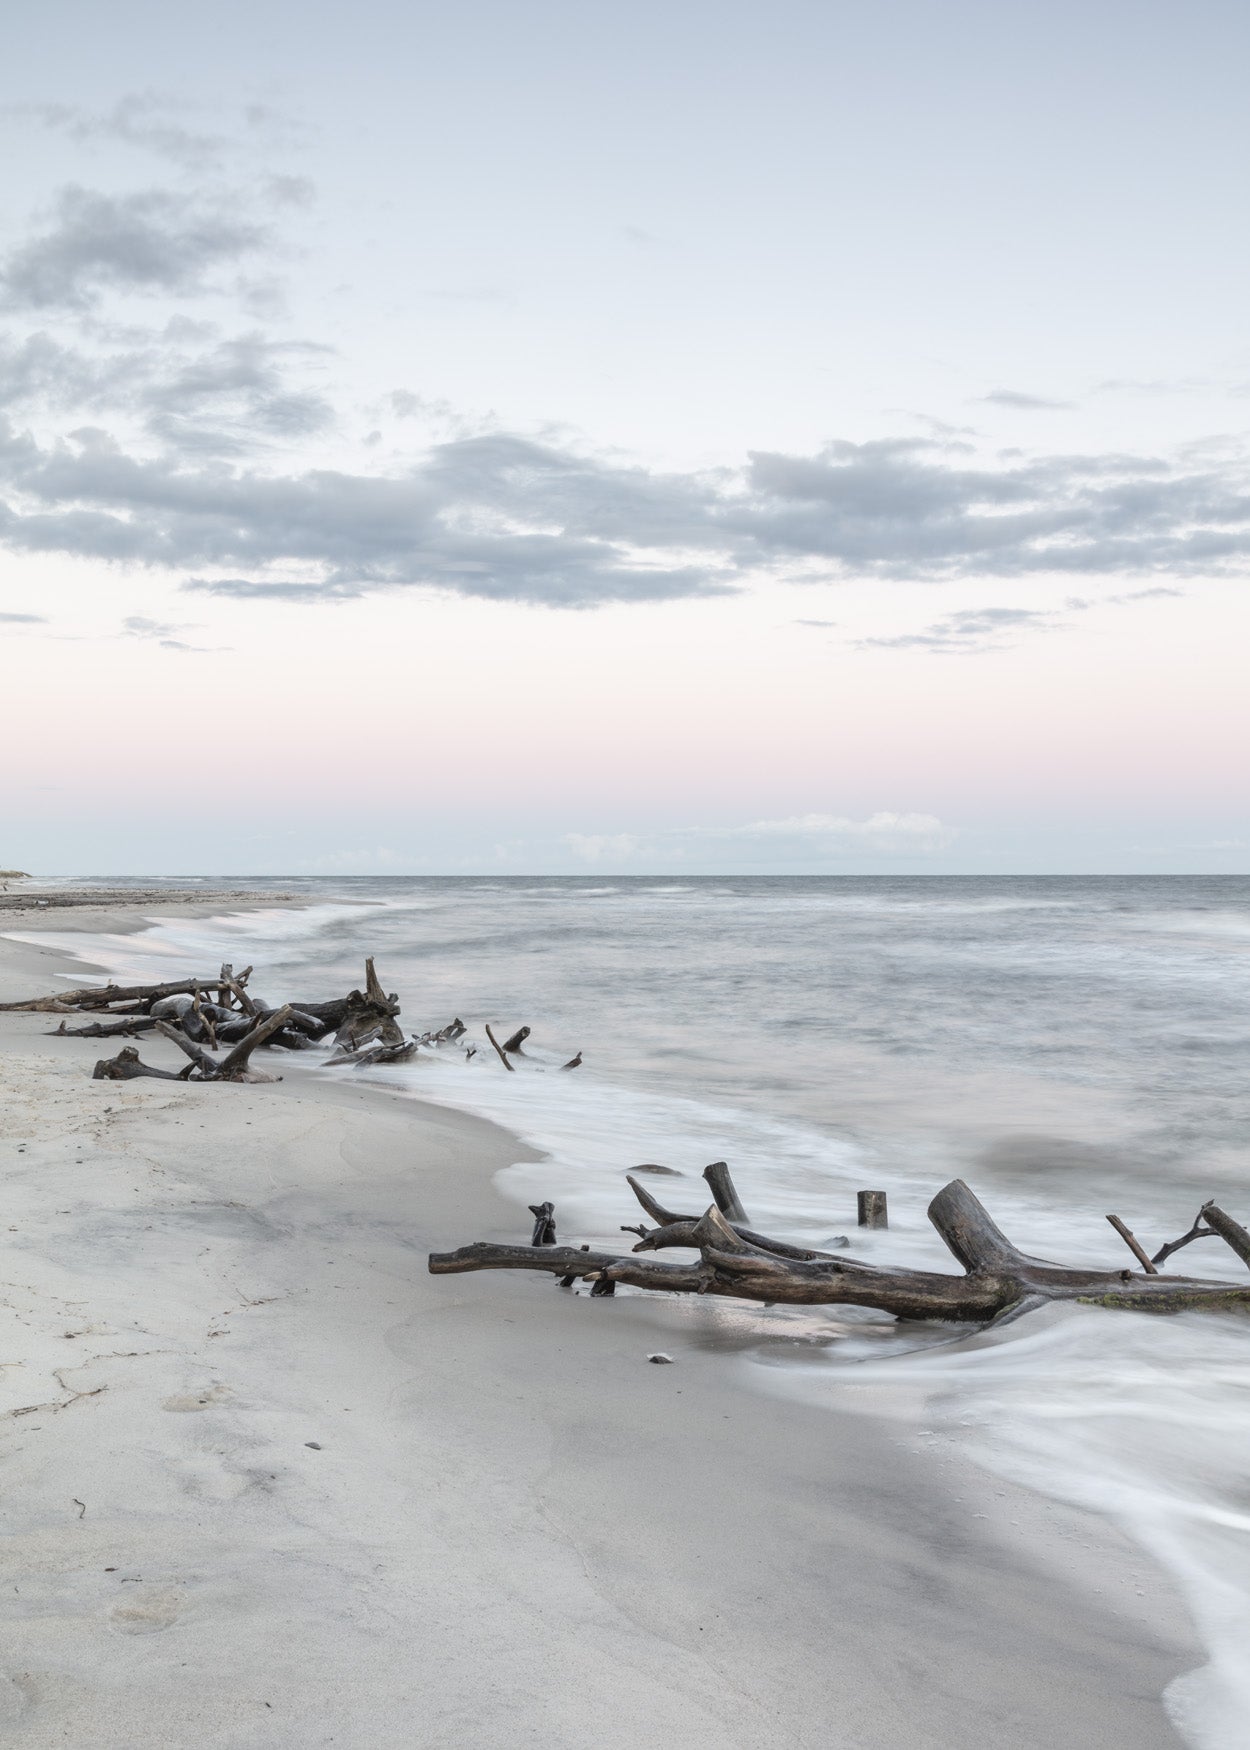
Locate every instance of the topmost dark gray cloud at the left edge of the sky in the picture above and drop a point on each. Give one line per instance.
(153, 241)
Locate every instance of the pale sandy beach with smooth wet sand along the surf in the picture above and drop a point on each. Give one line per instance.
(267, 1483)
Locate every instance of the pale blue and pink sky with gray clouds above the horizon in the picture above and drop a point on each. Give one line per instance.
(796, 438)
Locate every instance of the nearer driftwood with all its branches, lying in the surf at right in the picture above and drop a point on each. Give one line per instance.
(736, 1261)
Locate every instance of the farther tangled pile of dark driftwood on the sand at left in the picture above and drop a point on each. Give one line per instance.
(202, 1016)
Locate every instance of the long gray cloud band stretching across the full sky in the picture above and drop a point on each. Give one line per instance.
(507, 517)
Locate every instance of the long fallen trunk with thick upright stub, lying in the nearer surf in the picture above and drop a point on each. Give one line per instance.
(999, 1277)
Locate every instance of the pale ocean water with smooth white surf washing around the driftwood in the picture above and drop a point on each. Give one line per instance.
(1069, 1046)
